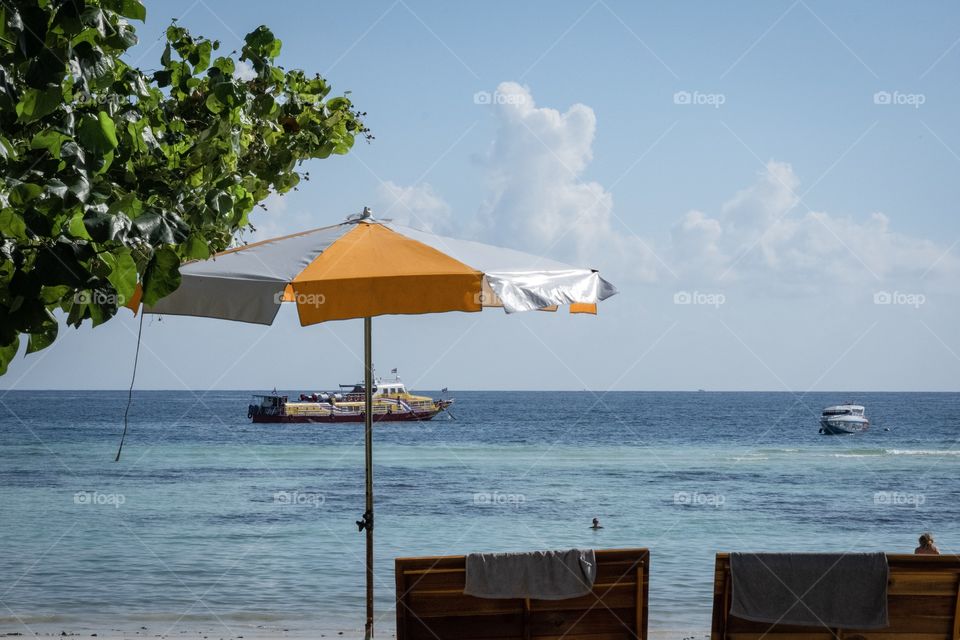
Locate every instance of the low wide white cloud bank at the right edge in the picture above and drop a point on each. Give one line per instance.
(763, 234)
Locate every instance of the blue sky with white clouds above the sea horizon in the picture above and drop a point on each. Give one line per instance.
(782, 165)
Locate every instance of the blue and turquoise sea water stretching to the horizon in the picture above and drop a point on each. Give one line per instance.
(211, 522)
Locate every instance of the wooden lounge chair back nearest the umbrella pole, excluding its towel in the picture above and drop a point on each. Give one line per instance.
(431, 604)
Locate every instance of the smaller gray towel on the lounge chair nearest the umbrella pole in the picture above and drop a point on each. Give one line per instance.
(541, 575)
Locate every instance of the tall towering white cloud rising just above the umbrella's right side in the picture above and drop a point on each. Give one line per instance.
(537, 200)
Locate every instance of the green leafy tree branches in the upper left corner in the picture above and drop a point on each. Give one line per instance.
(111, 177)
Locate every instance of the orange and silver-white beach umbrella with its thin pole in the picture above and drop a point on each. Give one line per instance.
(363, 268)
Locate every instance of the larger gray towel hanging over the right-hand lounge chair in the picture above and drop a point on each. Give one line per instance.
(813, 589)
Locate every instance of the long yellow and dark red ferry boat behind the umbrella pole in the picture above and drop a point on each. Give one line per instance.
(391, 403)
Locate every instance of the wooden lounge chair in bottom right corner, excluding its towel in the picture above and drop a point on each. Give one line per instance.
(923, 603)
